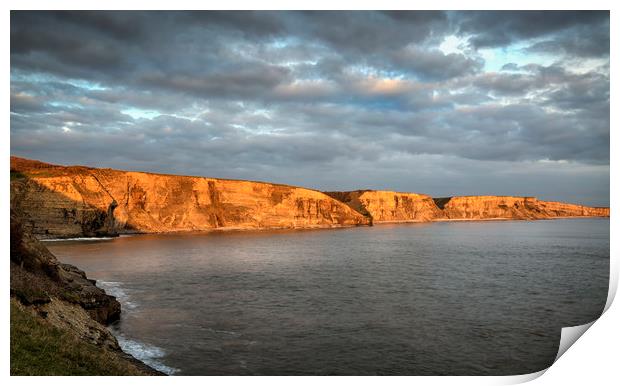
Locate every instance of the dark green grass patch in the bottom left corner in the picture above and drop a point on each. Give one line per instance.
(38, 348)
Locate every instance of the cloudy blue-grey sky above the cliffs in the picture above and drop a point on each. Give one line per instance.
(442, 103)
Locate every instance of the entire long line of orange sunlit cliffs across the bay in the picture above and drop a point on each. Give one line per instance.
(77, 201)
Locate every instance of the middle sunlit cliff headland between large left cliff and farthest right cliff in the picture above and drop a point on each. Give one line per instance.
(386, 206)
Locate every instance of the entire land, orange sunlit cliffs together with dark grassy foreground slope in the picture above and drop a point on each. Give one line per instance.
(58, 314)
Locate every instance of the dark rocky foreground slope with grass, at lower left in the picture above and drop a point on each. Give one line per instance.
(58, 317)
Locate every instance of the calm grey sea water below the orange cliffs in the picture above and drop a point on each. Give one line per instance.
(470, 298)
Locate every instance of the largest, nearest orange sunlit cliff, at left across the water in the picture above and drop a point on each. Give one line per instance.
(72, 201)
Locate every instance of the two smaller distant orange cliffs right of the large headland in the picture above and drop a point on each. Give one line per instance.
(386, 206)
